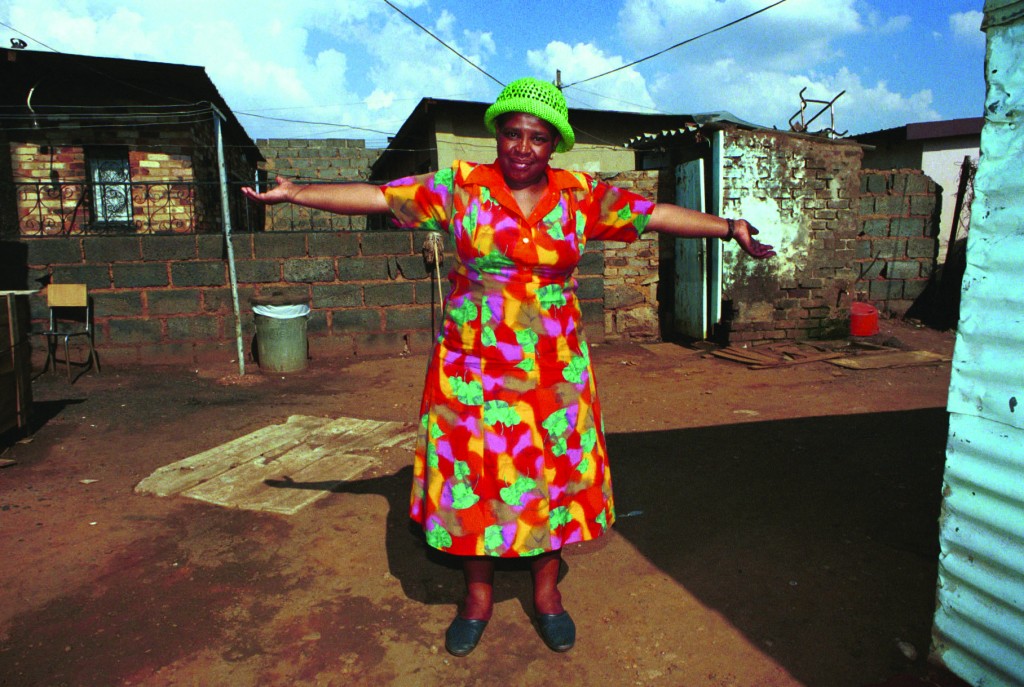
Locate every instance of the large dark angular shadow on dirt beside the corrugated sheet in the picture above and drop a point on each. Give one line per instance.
(818, 538)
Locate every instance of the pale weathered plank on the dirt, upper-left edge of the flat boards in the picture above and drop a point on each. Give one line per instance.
(269, 442)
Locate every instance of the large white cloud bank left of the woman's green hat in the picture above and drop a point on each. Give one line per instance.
(349, 62)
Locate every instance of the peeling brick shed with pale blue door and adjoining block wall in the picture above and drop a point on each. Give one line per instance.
(842, 234)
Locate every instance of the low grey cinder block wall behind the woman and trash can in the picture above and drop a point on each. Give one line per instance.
(166, 299)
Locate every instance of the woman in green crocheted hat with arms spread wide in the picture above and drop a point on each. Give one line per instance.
(511, 460)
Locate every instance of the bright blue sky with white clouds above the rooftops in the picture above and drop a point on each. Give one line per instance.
(357, 68)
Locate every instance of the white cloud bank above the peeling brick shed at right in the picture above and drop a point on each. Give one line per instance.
(757, 69)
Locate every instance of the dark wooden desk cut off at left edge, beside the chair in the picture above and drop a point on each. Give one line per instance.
(16, 361)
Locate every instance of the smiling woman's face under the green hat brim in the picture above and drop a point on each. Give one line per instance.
(525, 147)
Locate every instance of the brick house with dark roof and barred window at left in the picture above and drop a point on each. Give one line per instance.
(97, 146)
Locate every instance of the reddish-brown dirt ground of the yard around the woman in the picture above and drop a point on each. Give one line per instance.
(777, 528)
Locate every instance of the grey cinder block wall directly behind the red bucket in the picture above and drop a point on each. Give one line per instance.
(897, 248)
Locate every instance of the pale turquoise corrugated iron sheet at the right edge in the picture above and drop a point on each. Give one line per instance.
(979, 621)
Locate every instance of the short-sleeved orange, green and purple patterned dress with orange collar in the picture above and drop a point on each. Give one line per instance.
(511, 459)
